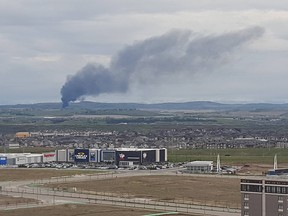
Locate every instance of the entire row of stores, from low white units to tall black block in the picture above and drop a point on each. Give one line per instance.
(120, 157)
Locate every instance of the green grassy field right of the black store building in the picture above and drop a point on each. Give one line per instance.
(231, 156)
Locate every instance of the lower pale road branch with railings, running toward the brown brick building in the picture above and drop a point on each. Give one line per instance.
(107, 199)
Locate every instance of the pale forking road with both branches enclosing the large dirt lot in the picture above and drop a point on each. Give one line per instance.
(50, 197)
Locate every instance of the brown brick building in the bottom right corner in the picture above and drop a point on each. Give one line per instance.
(264, 197)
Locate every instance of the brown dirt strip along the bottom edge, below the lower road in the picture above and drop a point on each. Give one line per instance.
(78, 210)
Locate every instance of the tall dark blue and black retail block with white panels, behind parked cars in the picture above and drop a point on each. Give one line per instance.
(119, 157)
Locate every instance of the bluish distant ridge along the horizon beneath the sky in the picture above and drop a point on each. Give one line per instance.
(196, 105)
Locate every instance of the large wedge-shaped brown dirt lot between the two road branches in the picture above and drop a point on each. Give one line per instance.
(219, 191)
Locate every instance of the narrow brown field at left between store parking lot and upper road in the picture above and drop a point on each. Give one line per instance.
(22, 174)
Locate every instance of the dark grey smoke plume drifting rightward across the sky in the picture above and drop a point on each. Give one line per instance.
(176, 52)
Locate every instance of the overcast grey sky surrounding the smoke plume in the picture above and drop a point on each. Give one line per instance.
(42, 42)
